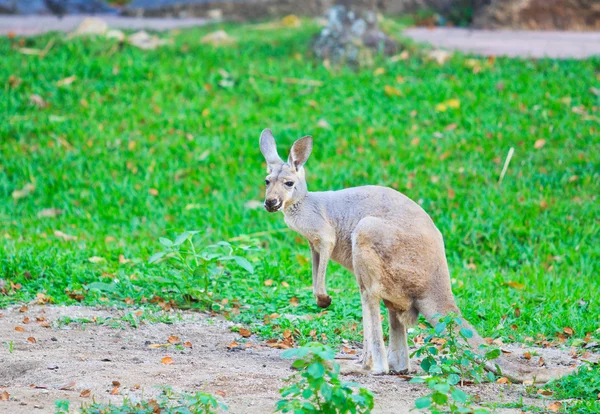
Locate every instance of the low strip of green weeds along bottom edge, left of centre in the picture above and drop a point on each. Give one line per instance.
(167, 402)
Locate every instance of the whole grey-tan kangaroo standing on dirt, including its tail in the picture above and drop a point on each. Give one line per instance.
(390, 244)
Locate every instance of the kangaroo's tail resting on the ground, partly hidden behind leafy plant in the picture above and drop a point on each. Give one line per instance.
(515, 372)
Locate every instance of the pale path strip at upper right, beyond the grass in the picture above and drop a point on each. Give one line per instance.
(537, 44)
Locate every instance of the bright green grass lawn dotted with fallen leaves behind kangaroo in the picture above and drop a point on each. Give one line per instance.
(147, 144)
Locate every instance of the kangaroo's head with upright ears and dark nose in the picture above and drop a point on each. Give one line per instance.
(285, 181)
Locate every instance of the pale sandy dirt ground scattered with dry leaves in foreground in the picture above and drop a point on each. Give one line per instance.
(59, 361)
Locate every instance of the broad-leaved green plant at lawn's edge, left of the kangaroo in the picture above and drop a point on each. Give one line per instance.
(199, 270)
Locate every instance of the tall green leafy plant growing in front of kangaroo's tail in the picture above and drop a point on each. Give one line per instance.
(449, 360)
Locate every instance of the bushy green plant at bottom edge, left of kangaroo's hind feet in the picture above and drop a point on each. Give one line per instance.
(317, 388)
